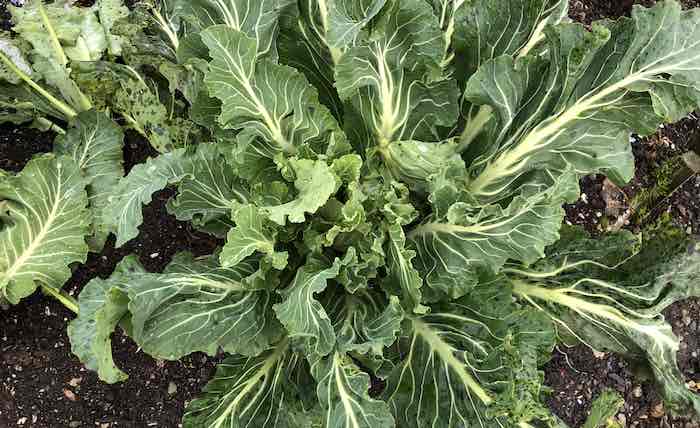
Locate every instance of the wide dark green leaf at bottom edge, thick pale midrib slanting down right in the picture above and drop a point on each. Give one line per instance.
(459, 371)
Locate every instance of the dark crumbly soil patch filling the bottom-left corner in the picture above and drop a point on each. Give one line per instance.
(44, 386)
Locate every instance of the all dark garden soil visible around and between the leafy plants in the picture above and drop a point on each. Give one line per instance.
(42, 385)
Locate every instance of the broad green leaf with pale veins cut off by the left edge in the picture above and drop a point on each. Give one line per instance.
(45, 220)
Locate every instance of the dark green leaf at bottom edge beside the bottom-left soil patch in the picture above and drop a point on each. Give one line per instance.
(265, 391)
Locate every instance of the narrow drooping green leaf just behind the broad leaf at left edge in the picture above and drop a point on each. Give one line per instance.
(95, 143)
